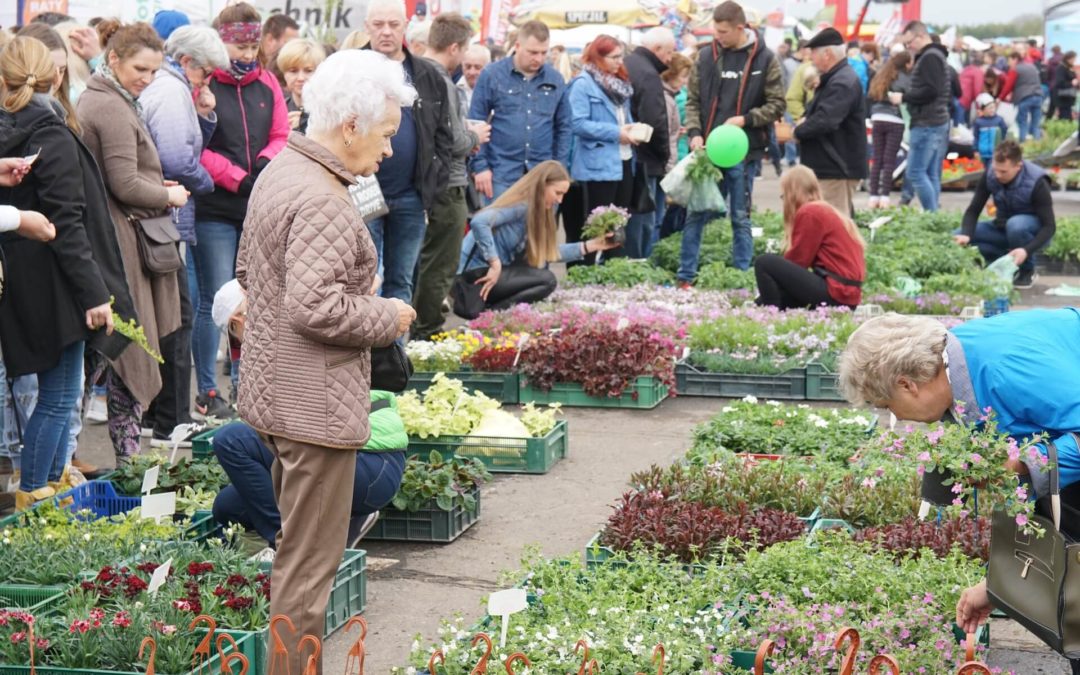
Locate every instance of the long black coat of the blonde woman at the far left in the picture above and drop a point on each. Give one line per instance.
(49, 287)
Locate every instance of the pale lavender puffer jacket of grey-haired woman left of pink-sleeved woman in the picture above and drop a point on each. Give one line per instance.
(180, 136)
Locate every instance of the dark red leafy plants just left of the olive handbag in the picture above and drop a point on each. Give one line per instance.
(911, 536)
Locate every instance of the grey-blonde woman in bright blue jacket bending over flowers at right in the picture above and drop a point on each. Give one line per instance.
(1022, 366)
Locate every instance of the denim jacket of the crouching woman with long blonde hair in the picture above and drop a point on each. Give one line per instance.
(501, 233)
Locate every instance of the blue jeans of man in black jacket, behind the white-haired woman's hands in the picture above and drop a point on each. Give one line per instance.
(398, 238)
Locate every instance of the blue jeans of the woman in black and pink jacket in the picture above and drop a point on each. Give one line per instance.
(215, 265)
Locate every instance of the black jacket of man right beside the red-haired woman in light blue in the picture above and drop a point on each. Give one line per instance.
(649, 105)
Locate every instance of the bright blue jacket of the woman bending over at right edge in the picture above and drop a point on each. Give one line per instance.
(1024, 367)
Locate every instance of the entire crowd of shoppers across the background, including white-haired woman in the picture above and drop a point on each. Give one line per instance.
(206, 183)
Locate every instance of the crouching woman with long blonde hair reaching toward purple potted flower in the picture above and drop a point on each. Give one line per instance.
(512, 241)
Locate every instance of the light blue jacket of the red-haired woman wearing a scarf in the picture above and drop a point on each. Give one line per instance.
(595, 151)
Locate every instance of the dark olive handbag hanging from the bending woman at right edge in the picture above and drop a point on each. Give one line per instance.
(1036, 580)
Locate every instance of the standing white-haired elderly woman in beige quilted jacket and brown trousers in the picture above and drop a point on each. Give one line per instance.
(308, 265)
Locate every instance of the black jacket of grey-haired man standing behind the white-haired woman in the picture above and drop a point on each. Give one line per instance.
(435, 141)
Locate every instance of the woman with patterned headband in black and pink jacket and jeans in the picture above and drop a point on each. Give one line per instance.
(252, 129)
